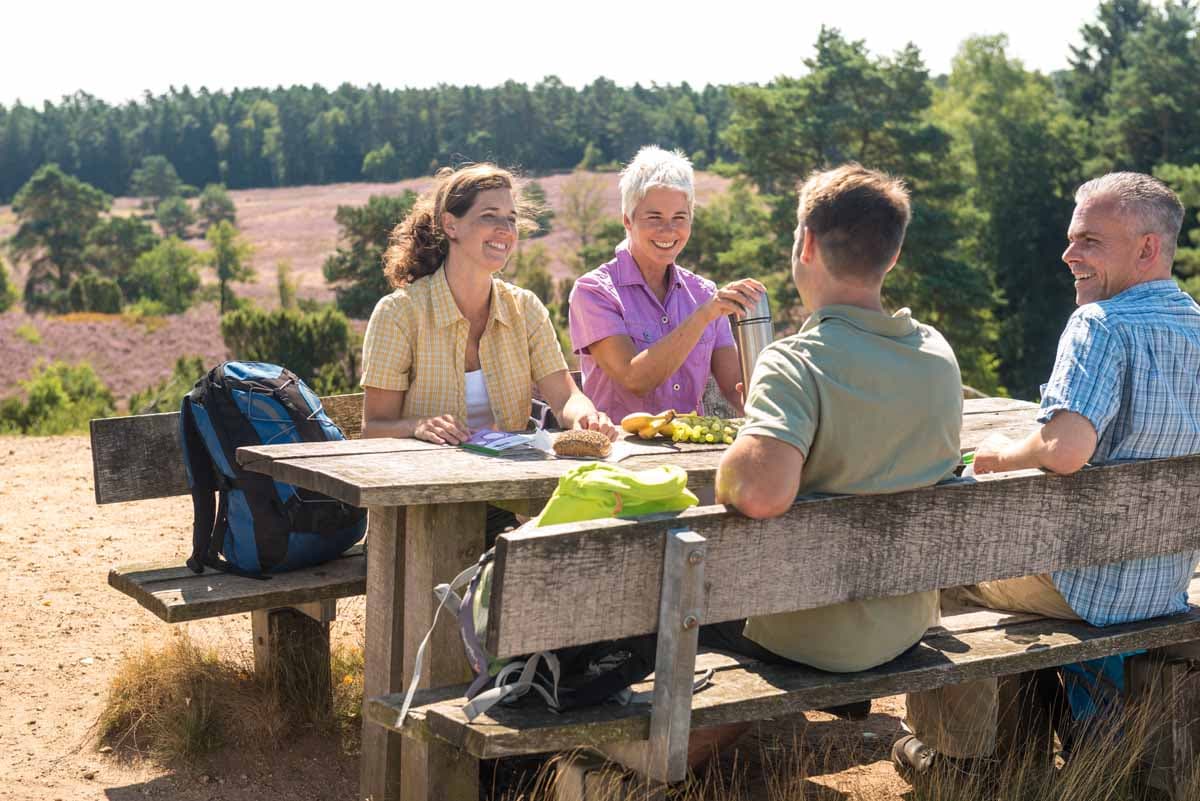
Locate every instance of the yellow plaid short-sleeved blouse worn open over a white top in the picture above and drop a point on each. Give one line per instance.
(417, 344)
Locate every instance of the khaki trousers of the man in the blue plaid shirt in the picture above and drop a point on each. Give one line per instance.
(962, 720)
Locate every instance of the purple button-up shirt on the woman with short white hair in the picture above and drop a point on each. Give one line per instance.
(615, 300)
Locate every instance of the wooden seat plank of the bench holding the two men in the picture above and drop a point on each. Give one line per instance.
(743, 691)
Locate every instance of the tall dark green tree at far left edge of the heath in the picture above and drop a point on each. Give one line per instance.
(55, 214)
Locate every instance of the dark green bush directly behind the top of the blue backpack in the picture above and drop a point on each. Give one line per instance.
(317, 347)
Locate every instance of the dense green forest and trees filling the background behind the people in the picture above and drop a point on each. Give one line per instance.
(992, 152)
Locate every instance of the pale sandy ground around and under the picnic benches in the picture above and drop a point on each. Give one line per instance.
(65, 630)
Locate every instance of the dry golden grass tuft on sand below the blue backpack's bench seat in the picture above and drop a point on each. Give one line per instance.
(188, 700)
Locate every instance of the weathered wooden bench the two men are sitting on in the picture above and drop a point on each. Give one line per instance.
(590, 582)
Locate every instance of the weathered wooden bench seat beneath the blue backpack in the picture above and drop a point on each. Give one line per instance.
(176, 594)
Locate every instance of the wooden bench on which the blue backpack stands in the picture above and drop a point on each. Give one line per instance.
(140, 459)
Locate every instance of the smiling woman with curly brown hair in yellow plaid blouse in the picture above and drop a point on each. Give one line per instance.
(454, 348)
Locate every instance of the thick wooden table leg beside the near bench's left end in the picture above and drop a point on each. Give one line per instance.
(411, 550)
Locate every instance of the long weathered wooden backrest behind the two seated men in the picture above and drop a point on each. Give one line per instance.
(590, 582)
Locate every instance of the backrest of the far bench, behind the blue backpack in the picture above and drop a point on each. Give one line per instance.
(140, 457)
